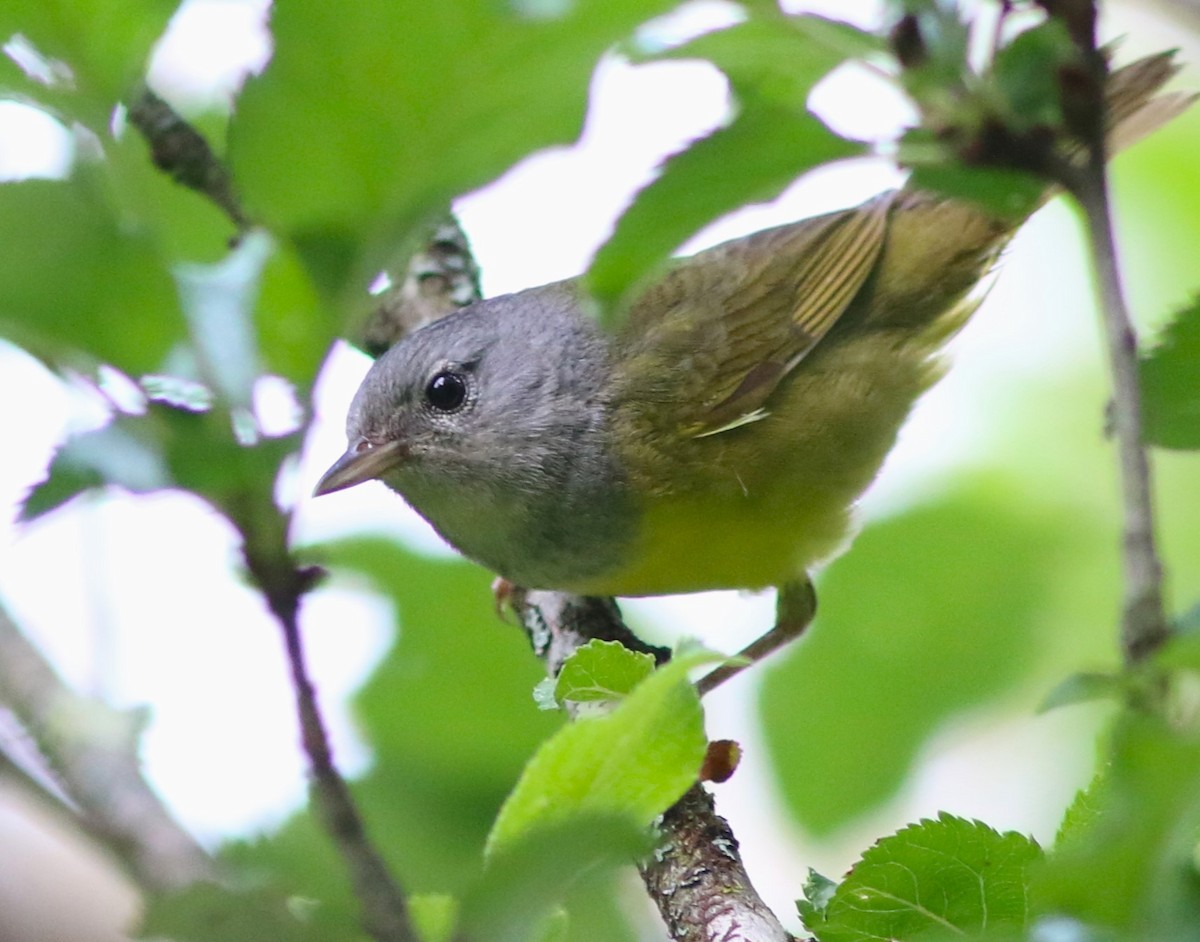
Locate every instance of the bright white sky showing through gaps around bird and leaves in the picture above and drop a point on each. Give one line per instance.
(133, 598)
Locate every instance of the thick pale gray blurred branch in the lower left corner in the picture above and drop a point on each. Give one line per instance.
(93, 753)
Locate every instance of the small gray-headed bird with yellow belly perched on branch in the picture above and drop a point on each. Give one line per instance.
(721, 437)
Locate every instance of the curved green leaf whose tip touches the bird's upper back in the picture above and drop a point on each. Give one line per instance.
(752, 160)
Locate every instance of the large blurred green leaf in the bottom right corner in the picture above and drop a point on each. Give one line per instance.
(1135, 871)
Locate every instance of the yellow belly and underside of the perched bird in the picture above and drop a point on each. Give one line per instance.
(757, 506)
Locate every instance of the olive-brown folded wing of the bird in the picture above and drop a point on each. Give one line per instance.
(706, 346)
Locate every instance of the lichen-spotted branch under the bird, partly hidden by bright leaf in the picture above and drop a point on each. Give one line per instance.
(697, 878)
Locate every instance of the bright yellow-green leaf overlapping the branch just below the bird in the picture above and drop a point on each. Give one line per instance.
(633, 763)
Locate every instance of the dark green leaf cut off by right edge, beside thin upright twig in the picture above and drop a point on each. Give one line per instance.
(1171, 383)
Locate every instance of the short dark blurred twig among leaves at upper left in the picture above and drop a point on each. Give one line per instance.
(182, 153)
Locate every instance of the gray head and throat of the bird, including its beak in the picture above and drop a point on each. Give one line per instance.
(493, 424)
